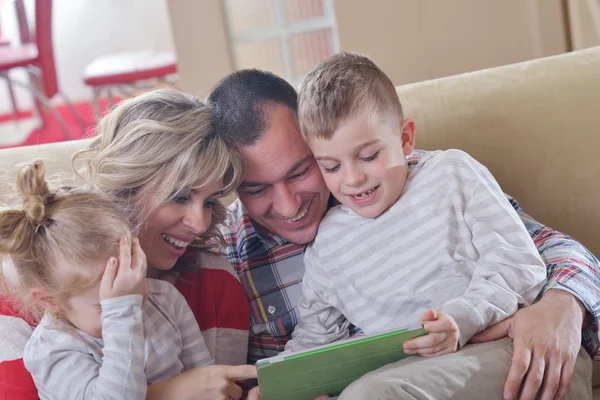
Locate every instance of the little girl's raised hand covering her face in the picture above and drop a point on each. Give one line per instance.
(127, 275)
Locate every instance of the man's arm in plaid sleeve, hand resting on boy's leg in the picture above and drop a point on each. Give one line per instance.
(547, 335)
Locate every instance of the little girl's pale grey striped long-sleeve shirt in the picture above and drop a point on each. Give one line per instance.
(142, 344)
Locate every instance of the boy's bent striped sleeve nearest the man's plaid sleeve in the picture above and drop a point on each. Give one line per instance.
(509, 269)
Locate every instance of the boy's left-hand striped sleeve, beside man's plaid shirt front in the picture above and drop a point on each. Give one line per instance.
(320, 323)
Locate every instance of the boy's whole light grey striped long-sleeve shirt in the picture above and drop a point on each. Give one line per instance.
(451, 242)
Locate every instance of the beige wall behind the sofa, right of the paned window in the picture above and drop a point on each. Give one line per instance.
(416, 40)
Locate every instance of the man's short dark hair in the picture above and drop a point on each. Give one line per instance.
(241, 102)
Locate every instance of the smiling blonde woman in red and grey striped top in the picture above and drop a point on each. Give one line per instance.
(158, 157)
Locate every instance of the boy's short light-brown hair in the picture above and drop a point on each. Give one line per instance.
(343, 87)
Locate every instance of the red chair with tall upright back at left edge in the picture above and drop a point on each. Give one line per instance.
(37, 57)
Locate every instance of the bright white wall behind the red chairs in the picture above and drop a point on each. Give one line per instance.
(86, 29)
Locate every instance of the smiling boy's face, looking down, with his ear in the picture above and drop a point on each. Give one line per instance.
(364, 163)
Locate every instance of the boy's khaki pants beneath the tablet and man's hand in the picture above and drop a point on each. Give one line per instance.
(478, 371)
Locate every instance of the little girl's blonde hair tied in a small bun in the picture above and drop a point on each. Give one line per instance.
(54, 226)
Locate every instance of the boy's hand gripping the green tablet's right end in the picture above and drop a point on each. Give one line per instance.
(442, 337)
